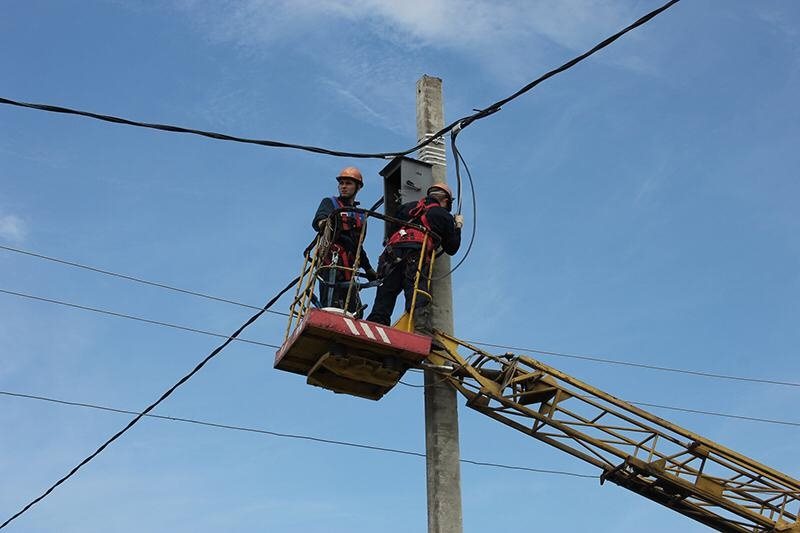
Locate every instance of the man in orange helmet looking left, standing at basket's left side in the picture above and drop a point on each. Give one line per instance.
(347, 228)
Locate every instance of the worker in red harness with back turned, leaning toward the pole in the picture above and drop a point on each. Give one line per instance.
(398, 263)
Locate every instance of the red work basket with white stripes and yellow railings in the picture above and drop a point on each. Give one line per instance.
(335, 349)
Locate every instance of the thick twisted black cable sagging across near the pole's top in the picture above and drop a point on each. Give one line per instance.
(459, 123)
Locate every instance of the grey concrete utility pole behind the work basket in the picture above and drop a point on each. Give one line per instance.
(441, 409)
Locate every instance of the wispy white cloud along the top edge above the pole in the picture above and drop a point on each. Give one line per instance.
(467, 25)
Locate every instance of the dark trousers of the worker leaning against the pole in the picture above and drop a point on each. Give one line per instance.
(398, 268)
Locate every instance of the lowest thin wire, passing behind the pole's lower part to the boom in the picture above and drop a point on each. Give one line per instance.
(285, 435)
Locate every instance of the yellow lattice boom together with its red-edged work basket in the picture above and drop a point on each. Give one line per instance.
(337, 350)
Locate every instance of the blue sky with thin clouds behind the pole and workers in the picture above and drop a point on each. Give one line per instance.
(642, 206)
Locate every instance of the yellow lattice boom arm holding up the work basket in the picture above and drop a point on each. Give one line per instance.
(633, 448)
